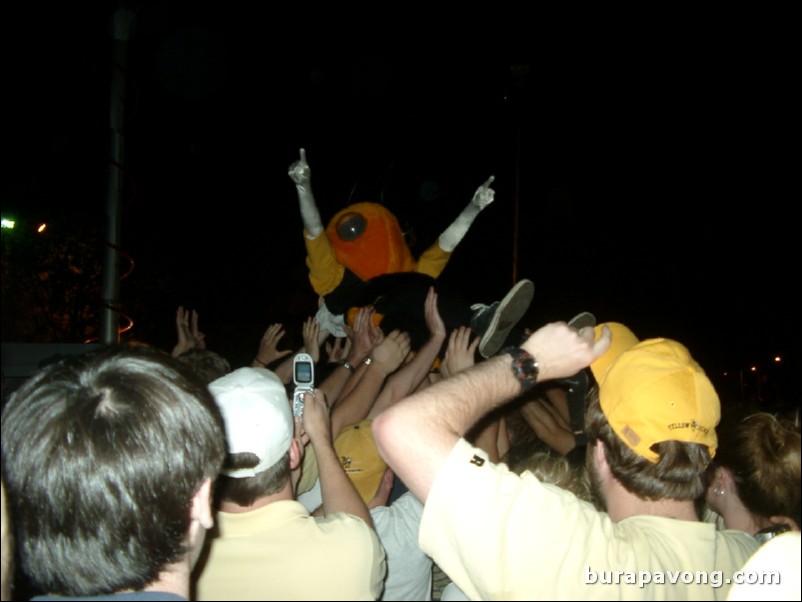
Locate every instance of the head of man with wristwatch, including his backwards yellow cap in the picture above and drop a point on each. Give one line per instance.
(655, 411)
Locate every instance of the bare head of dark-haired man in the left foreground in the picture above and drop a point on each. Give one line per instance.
(108, 459)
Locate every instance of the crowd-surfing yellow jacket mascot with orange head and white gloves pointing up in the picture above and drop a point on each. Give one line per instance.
(361, 258)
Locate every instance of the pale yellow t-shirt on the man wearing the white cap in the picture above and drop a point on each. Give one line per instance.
(280, 552)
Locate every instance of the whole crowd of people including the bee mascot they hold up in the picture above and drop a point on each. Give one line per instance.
(446, 452)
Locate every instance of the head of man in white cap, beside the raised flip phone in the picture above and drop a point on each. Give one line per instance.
(259, 429)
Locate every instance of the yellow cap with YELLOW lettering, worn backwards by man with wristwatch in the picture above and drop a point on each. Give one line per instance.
(655, 391)
